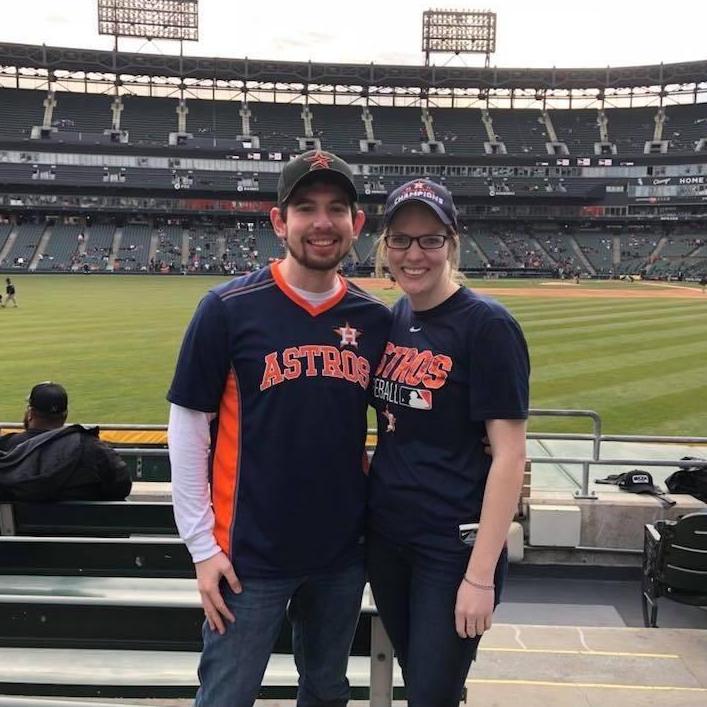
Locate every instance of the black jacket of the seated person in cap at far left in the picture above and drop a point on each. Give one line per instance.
(66, 464)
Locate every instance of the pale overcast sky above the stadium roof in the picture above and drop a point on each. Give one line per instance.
(532, 33)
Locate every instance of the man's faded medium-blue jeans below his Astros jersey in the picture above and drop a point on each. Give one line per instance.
(323, 610)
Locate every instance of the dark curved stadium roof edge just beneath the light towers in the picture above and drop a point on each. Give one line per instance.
(27, 56)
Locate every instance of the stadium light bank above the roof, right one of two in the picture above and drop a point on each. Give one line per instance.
(458, 32)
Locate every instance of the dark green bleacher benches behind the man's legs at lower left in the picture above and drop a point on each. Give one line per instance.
(117, 613)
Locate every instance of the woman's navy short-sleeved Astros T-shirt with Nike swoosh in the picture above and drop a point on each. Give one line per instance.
(443, 373)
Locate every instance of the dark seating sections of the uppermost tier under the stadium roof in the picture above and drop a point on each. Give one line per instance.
(340, 128)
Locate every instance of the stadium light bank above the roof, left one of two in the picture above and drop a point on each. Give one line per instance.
(149, 19)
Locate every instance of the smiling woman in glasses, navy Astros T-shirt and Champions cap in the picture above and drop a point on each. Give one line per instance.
(455, 370)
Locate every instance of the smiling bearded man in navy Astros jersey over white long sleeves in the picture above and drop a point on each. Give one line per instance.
(277, 365)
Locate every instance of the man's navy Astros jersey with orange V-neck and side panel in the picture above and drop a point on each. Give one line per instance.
(290, 384)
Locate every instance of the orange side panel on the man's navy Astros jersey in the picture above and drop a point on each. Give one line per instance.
(226, 463)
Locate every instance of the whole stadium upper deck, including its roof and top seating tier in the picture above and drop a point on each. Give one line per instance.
(351, 108)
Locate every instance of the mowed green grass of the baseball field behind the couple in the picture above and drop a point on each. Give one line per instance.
(113, 341)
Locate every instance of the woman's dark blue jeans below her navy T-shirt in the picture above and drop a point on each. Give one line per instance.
(416, 594)
